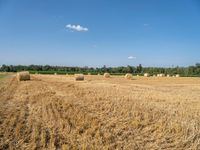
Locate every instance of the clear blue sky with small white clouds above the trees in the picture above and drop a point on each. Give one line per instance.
(100, 32)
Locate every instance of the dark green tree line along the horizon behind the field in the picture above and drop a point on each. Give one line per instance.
(47, 69)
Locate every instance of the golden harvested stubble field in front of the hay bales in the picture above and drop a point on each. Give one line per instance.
(56, 112)
